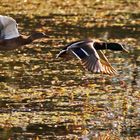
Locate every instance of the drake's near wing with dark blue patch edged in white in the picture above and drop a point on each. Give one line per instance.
(88, 55)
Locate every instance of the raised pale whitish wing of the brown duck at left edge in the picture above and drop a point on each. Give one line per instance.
(9, 29)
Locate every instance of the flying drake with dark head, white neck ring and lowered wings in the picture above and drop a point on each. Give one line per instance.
(91, 55)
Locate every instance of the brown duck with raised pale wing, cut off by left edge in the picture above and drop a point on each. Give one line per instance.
(9, 36)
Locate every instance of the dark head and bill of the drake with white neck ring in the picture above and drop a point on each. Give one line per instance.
(116, 47)
